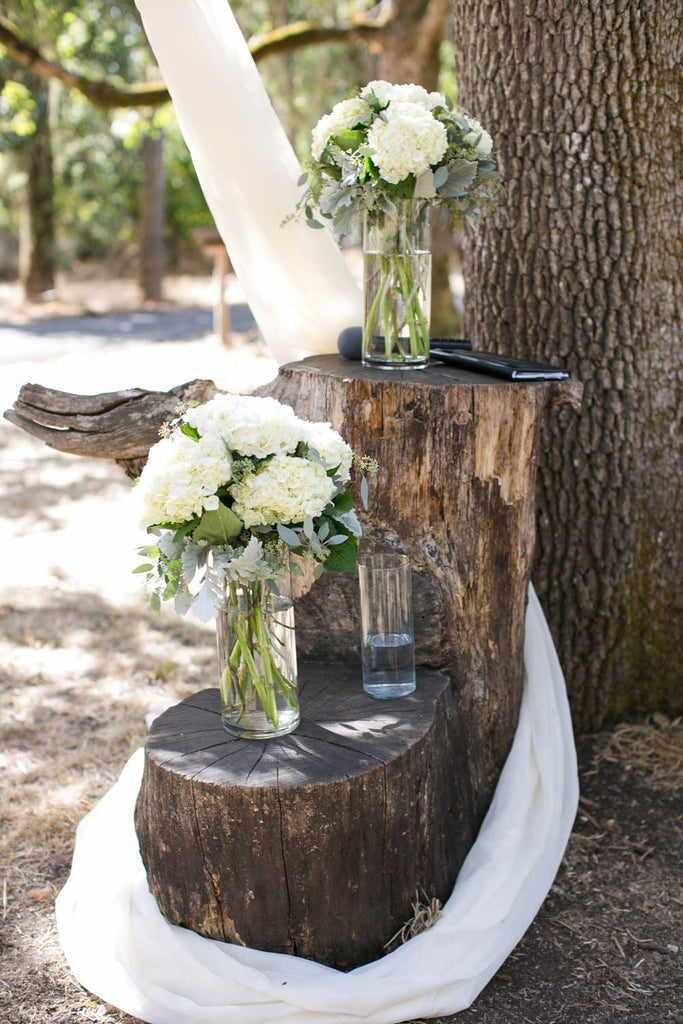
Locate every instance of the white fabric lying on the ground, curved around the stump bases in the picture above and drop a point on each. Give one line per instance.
(121, 948)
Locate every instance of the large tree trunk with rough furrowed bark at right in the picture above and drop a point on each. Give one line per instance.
(583, 267)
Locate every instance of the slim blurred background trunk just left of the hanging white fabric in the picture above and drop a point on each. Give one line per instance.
(152, 220)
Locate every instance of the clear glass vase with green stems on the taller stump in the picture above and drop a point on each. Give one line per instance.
(398, 287)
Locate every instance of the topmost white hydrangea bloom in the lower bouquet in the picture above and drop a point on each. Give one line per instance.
(249, 425)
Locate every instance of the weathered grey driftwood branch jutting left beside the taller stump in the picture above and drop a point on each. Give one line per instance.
(119, 425)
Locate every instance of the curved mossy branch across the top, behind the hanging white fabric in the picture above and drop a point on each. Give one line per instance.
(108, 96)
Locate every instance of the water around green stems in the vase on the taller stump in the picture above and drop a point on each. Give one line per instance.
(398, 291)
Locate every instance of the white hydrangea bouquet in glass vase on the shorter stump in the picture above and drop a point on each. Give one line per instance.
(232, 491)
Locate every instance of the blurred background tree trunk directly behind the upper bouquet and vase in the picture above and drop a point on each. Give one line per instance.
(411, 54)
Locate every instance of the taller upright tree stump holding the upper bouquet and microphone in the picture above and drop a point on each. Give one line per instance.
(456, 493)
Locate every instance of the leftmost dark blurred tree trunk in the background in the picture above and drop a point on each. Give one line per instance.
(37, 248)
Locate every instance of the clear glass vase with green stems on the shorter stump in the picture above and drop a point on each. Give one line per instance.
(258, 659)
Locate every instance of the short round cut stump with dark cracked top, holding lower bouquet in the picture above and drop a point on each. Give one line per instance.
(313, 844)
